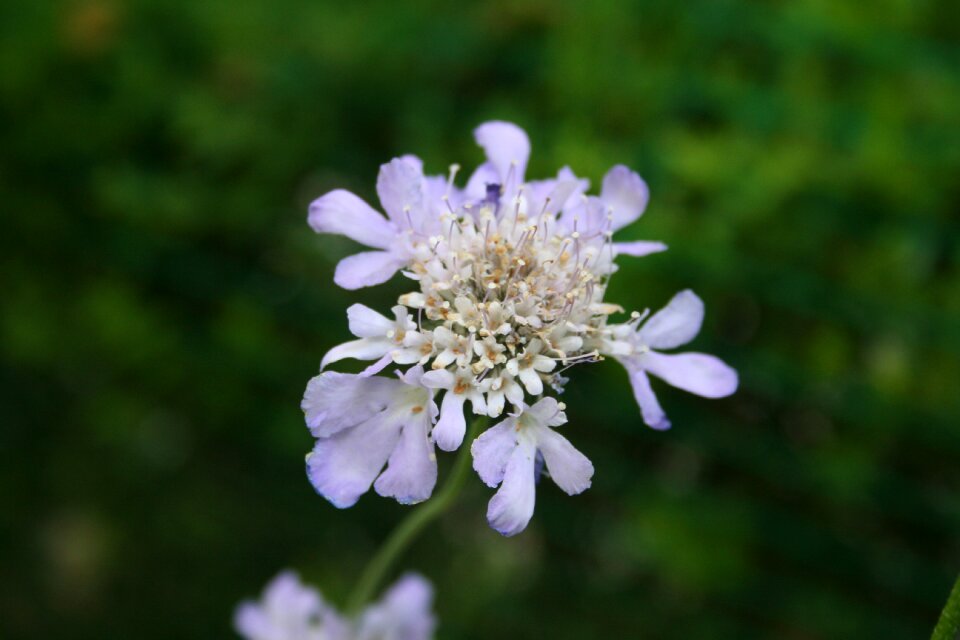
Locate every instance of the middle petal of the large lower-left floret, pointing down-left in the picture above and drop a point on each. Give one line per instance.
(343, 466)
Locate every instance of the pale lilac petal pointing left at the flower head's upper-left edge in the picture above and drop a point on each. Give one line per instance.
(344, 213)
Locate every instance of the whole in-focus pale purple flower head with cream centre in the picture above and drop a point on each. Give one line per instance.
(510, 277)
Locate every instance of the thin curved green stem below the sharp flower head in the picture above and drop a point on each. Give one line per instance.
(411, 526)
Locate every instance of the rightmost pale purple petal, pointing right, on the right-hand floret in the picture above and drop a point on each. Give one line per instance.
(698, 373)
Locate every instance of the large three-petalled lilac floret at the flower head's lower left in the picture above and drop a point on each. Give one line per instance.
(388, 423)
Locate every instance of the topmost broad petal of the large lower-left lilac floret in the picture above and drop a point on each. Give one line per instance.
(328, 393)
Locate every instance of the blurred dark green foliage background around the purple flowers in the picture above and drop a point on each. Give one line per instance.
(163, 304)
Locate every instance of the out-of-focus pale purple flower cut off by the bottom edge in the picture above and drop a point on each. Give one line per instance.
(291, 610)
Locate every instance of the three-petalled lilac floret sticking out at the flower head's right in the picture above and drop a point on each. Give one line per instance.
(674, 325)
